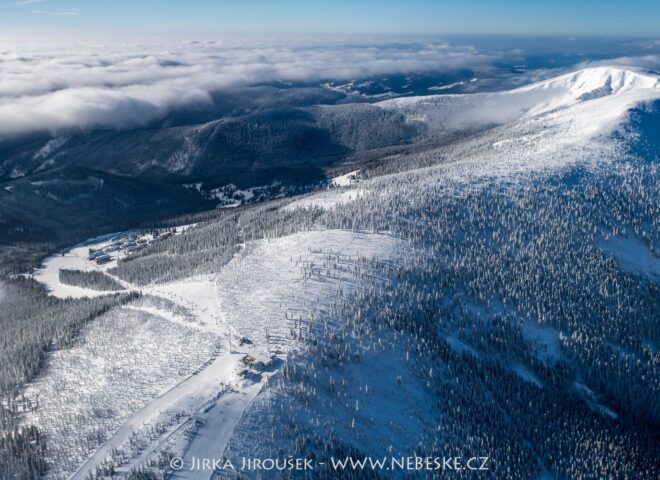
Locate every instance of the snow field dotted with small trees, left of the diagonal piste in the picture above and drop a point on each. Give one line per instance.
(119, 363)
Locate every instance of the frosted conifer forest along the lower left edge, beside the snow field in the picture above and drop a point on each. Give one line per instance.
(33, 323)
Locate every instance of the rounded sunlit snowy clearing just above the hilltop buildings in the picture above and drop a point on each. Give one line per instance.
(269, 294)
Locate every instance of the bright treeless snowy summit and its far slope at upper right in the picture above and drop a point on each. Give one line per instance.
(616, 89)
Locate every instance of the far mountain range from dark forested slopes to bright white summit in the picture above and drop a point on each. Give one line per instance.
(298, 136)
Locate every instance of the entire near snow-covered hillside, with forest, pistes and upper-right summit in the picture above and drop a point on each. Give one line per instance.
(494, 295)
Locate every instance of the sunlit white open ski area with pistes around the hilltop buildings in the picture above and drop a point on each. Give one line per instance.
(175, 357)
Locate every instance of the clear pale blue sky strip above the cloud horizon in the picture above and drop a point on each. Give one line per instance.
(394, 17)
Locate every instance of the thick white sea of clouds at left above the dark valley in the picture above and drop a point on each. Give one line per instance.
(122, 86)
